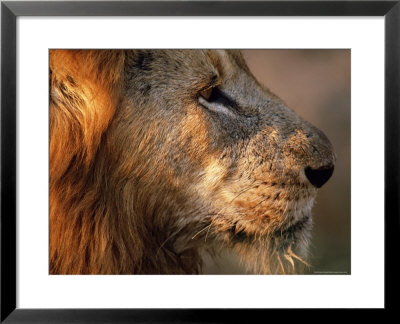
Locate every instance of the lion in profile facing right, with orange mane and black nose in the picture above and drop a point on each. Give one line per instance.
(158, 156)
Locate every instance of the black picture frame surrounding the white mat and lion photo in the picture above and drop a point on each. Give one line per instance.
(11, 10)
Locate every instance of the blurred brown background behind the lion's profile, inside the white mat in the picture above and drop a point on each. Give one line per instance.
(316, 85)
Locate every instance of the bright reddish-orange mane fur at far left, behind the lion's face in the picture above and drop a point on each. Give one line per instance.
(85, 91)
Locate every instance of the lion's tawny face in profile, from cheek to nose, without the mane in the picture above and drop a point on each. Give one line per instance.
(219, 159)
